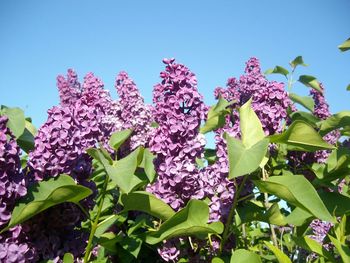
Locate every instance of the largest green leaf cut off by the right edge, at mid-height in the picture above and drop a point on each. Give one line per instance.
(336, 121)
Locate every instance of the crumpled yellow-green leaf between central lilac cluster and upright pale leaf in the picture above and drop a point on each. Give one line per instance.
(216, 116)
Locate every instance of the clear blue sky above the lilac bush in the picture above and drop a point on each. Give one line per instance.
(41, 39)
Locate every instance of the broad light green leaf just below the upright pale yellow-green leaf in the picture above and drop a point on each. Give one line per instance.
(243, 160)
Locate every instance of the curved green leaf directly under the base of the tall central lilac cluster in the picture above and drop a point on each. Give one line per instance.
(148, 203)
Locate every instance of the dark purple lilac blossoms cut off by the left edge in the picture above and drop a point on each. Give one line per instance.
(14, 246)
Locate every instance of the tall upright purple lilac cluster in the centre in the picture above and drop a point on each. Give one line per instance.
(178, 110)
